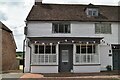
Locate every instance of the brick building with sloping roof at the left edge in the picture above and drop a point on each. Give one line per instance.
(7, 49)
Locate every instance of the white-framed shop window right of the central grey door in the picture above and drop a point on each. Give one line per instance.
(86, 53)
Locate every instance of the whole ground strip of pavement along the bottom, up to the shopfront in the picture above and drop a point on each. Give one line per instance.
(64, 76)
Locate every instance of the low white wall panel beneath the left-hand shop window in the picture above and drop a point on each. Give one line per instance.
(44, 69)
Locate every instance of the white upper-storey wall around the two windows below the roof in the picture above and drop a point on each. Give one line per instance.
(78, 29)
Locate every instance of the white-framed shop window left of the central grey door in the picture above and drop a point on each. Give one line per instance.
(44, 54)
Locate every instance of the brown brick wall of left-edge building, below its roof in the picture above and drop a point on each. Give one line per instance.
(8, 51)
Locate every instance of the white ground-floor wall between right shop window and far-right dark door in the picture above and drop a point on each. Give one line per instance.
(105, 59)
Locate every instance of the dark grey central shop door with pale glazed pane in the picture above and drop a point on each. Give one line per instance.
(65, 58)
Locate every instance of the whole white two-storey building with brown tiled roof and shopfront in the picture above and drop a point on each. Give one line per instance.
(71, 38)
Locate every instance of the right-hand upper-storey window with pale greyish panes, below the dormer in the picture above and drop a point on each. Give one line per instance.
(103, 28)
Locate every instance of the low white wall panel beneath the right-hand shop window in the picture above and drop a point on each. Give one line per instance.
(86, 69)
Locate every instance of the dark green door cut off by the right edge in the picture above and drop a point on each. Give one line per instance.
(116, 59)
